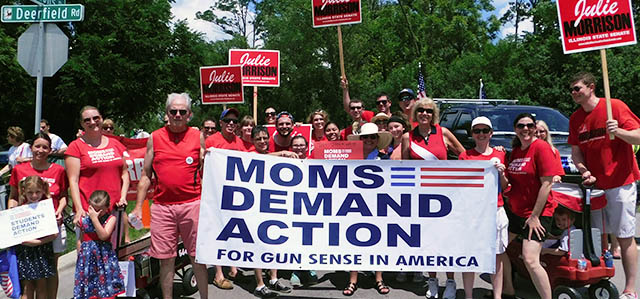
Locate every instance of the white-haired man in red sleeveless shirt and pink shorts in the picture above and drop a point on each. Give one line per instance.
(174, 153)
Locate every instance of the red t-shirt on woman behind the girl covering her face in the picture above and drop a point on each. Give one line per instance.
(100, 169)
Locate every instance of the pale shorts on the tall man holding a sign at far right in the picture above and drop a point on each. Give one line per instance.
(619, 215)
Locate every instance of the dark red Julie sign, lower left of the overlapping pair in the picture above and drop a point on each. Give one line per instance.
(221, 84)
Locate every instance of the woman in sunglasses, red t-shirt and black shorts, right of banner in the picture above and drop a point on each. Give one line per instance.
(530, 171)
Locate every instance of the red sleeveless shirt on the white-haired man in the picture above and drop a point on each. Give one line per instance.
(176, 161)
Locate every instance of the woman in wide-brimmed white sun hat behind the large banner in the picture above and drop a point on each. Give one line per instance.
(372, 142)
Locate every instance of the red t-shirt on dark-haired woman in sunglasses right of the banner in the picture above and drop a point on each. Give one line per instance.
(524, 172)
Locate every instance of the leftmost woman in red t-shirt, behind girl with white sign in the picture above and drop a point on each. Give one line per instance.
(55, 176)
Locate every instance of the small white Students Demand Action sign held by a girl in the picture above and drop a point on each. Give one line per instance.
(27, 222)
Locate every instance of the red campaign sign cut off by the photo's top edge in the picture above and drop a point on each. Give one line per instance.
(335, 12)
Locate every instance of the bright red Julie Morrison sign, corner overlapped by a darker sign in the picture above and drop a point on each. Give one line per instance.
(259, 67)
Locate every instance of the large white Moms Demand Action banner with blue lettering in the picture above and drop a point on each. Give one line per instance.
(269, 212)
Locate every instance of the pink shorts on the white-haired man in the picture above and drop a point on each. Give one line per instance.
(170, 221)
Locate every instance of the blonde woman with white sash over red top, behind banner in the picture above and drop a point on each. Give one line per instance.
(430, 141)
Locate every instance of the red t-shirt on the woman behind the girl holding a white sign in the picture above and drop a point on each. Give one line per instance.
(55, 176)
